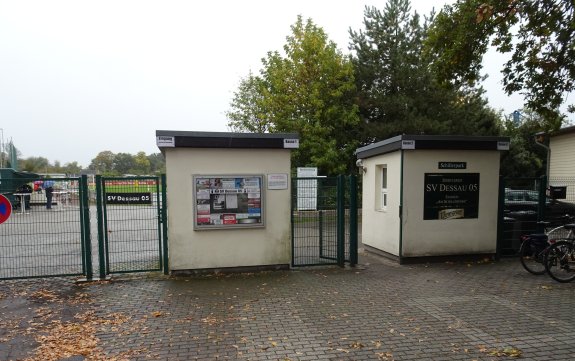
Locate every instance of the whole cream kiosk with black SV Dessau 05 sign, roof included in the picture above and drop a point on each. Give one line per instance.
(430, 196)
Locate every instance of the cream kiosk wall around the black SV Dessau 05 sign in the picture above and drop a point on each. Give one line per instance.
(456, 236)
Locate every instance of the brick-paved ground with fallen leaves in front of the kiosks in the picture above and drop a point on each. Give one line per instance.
(378, 311)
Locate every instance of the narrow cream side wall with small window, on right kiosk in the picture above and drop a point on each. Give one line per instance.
(380, 229)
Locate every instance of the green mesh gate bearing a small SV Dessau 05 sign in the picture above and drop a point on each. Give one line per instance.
(130, 213)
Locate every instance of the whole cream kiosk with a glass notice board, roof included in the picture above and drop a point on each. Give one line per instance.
(228, 198)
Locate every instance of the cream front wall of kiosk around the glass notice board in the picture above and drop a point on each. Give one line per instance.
(198, 249)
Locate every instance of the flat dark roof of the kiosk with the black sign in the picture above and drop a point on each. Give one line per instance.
(437, 142)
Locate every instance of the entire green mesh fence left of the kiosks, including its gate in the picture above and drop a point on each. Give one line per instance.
(114, 226)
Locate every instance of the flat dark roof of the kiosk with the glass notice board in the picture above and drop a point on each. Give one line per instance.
(191, 139)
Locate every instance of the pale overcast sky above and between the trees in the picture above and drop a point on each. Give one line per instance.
(80, 77)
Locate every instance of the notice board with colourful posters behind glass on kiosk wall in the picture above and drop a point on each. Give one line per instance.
(228, 201)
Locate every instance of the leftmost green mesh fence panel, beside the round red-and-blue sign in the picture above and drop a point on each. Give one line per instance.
(40, 242)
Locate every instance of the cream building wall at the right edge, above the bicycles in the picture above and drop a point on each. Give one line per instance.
(562, 156)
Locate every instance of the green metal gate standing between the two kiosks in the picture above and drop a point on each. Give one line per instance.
(324, 221)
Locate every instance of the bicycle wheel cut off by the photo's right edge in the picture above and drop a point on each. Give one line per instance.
(560, 261)
